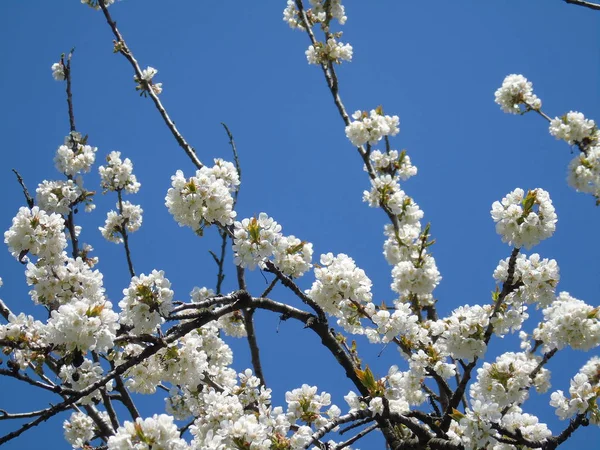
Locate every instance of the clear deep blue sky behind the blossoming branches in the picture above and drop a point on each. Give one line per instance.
(436, 64)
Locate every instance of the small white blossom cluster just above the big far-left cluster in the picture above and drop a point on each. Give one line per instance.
(59, 196)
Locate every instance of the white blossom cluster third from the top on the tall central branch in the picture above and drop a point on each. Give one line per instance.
(371, 127)
